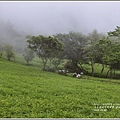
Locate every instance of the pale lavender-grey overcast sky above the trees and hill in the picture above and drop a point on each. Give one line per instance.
(61, 17)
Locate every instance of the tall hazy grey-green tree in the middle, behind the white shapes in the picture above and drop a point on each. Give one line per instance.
(74, 43)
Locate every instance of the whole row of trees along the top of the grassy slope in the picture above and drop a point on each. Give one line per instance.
(77, 49)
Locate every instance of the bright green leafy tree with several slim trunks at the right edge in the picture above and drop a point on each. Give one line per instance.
(109, 54)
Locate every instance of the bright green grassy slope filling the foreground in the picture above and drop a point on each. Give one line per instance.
(28, 92)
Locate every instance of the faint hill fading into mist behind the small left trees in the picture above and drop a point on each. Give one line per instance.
(8, 34)
